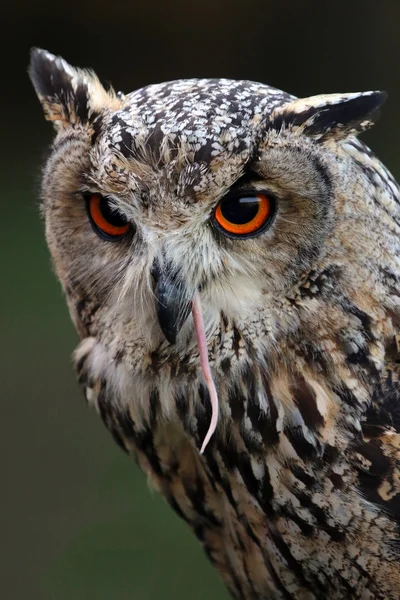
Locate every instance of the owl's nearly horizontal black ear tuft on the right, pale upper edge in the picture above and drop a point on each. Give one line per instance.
(330, 115)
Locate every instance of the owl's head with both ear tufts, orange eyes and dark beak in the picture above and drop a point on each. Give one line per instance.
(229, 188)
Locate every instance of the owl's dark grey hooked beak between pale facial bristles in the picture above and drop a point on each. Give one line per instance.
(173, 302)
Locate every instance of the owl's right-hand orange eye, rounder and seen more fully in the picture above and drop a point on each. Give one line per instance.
(244, 215)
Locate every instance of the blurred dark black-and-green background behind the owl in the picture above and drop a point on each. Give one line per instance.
(77, 518)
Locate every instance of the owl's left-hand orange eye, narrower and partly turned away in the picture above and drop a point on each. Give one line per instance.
(106, 220)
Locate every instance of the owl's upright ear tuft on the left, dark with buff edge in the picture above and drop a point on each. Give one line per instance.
(68, 95)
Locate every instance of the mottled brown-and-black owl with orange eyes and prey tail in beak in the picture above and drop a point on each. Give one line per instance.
(230, 259)
